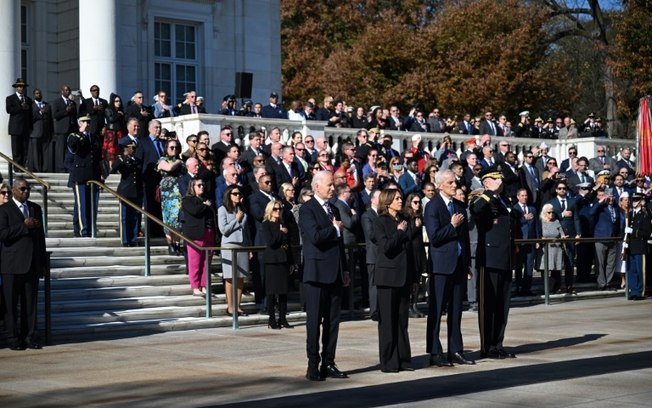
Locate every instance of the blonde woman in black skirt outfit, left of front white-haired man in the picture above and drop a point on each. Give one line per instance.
(276, 262)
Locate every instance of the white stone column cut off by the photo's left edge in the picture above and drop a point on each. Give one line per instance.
(9, 64)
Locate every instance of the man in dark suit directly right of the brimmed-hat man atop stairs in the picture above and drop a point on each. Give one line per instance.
(39, 138)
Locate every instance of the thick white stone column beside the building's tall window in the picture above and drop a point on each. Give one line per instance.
(97, 46)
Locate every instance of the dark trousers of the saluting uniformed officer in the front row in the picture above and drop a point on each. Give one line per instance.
(493, 310)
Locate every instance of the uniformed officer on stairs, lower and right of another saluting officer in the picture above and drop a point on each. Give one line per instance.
(131, 188)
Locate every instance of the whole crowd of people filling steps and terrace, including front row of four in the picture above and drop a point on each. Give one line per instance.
(452, 217)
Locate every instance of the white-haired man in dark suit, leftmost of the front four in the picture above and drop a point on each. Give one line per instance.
(324, 276)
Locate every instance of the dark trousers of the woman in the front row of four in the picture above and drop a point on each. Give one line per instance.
(393, 339)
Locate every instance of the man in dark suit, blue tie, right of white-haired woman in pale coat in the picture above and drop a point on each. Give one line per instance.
(566, 211)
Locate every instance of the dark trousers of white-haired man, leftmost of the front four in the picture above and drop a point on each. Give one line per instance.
(323, 305)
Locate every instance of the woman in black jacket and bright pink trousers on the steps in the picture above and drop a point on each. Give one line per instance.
(198, 225)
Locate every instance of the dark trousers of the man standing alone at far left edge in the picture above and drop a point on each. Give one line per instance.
(20, 288)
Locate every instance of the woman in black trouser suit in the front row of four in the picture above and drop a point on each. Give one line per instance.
(395, 280)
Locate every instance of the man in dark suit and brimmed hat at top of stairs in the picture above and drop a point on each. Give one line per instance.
(19, 108)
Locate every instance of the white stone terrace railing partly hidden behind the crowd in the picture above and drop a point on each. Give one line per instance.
(189, 124)
